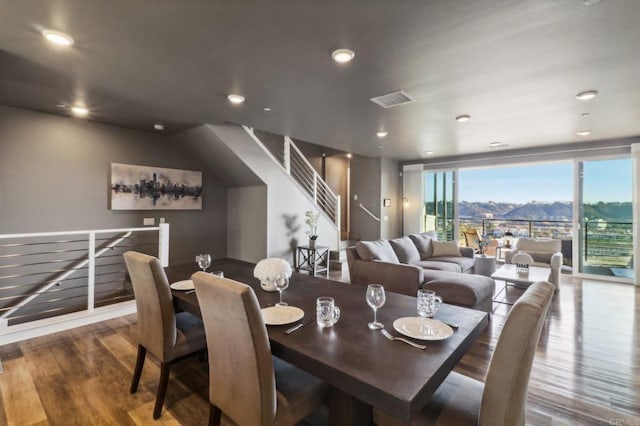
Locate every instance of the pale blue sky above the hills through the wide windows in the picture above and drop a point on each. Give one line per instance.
(608, 180)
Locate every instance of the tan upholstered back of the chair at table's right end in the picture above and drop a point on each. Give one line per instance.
(505, 390)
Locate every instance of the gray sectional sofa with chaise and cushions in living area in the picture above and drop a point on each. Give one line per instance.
(403, 265)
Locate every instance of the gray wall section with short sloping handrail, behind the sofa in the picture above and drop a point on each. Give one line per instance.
(366, 187)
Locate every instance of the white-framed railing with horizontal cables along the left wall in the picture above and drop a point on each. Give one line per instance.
(43, 276)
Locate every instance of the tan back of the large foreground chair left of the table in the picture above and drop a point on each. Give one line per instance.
(241, 377)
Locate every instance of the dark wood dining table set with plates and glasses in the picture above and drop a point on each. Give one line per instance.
(362, 367)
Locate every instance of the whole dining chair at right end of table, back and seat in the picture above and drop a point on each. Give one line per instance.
(501, 399)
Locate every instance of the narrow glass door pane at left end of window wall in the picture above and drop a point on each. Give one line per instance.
(439, 203)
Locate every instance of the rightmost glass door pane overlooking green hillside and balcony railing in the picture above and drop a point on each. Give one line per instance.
(605, 239)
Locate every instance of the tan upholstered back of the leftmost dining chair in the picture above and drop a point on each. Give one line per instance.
(156, 316)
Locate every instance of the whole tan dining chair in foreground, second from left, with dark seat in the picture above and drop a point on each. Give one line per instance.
(246, 383)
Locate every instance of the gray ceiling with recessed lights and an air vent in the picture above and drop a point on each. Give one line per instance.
(513, 66)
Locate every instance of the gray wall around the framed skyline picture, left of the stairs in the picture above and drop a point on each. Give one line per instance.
(54, 176)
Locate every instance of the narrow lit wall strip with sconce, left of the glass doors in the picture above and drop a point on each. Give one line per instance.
(391, 187)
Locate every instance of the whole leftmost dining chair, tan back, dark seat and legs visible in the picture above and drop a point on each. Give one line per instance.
(167, 335)
